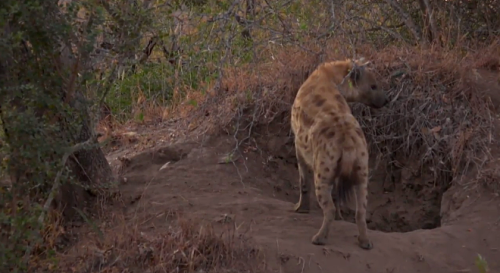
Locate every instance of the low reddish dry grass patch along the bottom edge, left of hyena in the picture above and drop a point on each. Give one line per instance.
(186, 246)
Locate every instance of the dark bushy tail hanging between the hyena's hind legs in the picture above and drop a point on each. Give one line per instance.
(345, 181)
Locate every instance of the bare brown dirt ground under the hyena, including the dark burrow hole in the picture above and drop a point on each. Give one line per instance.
(416, 225)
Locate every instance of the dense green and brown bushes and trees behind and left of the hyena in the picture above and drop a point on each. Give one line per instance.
(63, 65)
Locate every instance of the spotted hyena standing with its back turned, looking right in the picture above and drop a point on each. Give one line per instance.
(330, 145)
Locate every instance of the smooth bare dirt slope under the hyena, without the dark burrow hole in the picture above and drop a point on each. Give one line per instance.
(256, 194)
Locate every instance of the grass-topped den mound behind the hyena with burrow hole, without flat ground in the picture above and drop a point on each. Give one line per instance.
(435, 131)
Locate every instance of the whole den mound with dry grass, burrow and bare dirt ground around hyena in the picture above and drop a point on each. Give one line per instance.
(436, 132)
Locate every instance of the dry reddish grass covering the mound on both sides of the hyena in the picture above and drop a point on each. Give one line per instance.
(439, 117)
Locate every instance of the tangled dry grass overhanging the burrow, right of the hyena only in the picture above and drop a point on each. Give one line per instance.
(439, 117)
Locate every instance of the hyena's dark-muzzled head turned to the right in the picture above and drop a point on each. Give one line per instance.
(366, 85)
